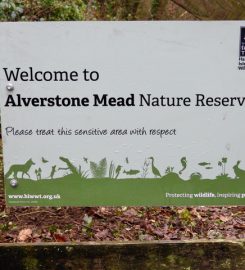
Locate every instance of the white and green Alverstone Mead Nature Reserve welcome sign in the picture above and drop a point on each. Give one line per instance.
(123, 113)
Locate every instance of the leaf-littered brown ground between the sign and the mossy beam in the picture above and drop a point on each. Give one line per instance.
(50, 224)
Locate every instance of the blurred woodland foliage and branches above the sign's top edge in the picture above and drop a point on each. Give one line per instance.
(70, 10)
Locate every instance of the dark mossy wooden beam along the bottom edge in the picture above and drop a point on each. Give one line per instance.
(212, 255)
